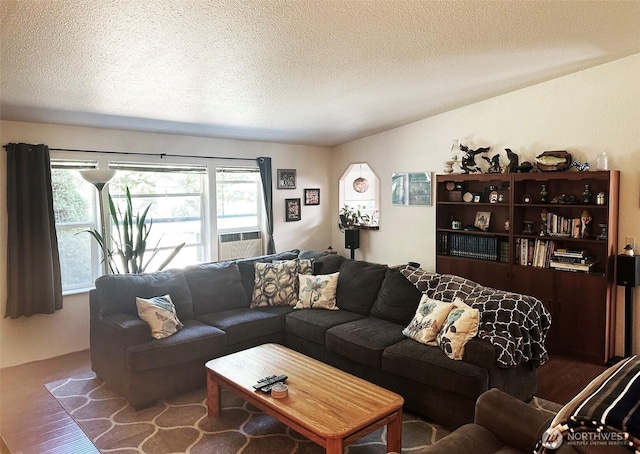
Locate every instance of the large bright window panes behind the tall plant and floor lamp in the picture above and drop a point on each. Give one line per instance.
(177, 197)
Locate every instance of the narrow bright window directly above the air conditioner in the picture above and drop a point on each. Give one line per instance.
(238, 193)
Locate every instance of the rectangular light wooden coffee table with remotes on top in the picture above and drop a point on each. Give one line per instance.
(325, 404)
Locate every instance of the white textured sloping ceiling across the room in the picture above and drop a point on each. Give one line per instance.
(319, 72)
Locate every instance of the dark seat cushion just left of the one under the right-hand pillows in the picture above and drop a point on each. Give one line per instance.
(364, 340)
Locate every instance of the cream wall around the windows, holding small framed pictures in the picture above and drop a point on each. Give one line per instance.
(45, 336)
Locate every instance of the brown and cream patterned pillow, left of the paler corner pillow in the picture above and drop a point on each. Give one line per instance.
(275, 284)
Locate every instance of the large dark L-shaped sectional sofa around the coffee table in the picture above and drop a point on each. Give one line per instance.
(364, 337)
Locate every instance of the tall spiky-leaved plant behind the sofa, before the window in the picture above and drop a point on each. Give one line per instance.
(131, 240)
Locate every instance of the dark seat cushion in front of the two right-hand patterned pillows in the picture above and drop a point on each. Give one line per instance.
(429, 365)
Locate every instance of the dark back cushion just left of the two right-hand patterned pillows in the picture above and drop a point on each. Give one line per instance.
(397, 300)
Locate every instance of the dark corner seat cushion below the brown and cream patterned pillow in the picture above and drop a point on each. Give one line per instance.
(243, 325)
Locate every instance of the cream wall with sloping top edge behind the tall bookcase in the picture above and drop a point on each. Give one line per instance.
(585, 113)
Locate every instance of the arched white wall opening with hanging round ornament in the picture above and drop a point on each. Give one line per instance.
(360, 191)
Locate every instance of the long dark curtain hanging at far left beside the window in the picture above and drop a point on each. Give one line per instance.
(34, 283)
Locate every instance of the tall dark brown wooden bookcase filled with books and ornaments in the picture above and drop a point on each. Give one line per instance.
(589, 292)
